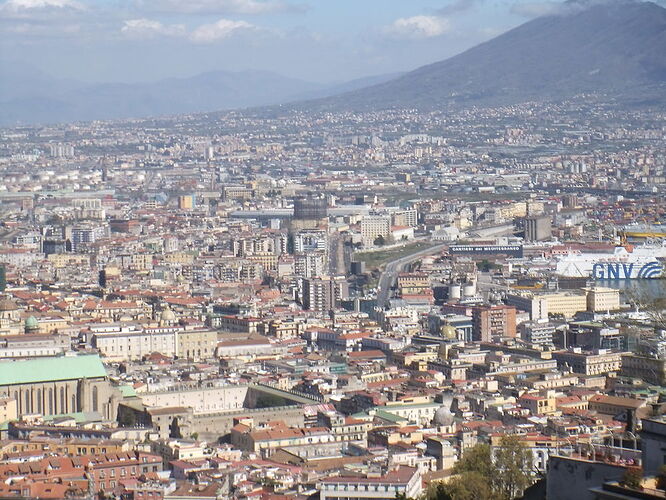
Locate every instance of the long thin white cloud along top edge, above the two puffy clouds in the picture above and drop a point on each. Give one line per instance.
(220, 6)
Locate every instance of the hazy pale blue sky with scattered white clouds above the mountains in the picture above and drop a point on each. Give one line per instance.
(316, 40)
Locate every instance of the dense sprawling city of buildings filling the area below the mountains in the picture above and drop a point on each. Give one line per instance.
(278, 305)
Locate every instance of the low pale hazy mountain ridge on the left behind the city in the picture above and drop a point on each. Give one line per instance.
(29, 96)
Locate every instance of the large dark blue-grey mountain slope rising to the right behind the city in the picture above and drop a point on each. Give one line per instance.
(615, 48)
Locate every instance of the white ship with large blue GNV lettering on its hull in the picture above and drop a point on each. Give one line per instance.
(624, 262)
